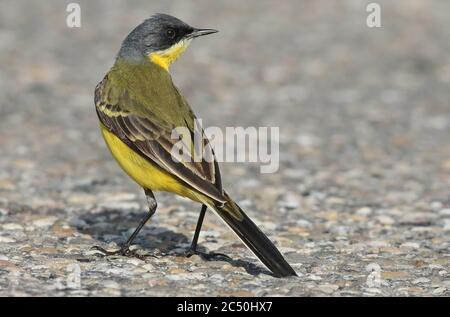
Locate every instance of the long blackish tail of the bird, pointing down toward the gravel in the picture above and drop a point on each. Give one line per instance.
(254, 239)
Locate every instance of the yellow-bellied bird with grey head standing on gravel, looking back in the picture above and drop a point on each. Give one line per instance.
(138, 106)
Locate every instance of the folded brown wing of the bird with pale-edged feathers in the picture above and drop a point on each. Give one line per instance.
(153, 140)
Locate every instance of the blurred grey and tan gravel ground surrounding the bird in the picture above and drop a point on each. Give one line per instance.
(360, 205)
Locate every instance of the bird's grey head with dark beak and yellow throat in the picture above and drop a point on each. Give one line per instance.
(162, 39)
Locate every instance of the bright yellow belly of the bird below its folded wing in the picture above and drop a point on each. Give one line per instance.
(143, 172)
